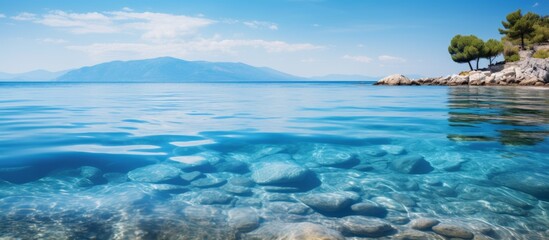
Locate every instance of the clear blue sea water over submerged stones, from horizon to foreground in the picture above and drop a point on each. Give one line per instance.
(230, 161)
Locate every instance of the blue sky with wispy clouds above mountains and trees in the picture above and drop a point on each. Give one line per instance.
(301, 37)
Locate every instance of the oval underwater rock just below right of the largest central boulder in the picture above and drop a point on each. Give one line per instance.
(328, 202)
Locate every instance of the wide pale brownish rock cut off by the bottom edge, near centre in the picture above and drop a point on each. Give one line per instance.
(295, 231)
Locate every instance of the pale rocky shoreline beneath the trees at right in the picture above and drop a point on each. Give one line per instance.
(527, 72)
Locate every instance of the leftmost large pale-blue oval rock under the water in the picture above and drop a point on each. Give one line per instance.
(154, 173)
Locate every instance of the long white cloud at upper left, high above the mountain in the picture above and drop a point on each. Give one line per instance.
(149, 24)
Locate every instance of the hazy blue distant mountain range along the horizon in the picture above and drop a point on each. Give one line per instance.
(168, 69)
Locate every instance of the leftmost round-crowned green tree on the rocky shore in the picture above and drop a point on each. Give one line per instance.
(465, 49)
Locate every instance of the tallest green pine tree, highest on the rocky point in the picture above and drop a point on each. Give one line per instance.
(519, 27)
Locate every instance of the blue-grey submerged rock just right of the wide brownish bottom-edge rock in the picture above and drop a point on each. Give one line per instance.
(365, 227)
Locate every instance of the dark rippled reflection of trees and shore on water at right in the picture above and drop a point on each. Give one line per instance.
(512, 116)
